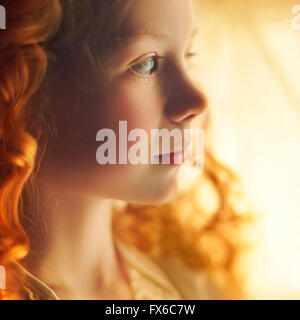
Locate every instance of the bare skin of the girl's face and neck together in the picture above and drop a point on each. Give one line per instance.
(80, 190)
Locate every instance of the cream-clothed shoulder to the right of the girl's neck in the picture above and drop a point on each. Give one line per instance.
(165, 278)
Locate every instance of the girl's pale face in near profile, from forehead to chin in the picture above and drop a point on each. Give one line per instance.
(148, 86)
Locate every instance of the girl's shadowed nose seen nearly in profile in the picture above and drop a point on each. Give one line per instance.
(186, 101)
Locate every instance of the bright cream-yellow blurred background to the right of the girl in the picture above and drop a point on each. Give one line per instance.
(249, 68)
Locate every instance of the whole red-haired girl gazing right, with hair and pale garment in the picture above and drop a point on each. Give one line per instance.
(68, 69)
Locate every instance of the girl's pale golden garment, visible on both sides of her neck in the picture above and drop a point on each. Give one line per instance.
(150, 279)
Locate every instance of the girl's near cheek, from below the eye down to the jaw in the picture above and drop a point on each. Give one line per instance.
(141, 105)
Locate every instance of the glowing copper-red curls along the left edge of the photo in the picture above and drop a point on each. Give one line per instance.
(23, 63)
